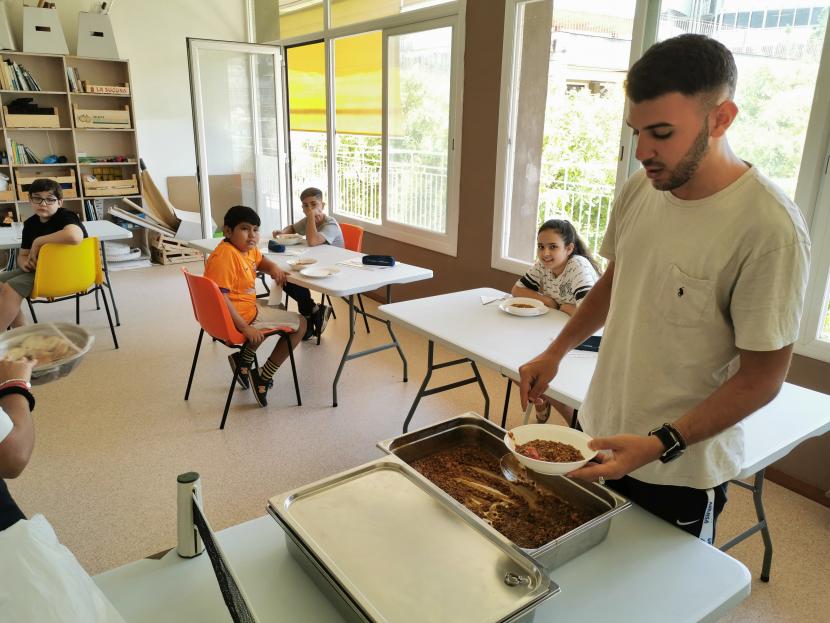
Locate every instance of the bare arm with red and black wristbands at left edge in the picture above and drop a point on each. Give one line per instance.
(16, 448)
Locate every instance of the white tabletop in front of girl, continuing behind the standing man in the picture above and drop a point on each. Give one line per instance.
(503, 342)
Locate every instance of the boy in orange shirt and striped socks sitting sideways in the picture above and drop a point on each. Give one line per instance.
(233, 266)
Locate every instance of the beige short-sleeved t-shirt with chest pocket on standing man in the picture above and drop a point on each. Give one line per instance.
(693, 282)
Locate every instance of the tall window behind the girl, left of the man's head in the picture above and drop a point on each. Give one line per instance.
(563, 142)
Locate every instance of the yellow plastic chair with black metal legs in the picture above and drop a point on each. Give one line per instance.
(70, 271)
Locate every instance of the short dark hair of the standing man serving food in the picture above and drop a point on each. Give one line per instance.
(688, 64)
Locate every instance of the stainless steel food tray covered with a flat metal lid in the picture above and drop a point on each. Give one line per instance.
(385, 547)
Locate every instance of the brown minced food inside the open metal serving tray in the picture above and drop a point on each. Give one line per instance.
(525, 513)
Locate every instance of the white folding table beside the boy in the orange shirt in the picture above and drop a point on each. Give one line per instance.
(349, 282)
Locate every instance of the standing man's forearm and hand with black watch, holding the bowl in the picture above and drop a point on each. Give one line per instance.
(756, 383)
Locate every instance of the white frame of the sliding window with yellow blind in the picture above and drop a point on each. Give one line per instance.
(449, 14)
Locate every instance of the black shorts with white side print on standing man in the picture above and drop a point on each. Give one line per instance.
(694, 510)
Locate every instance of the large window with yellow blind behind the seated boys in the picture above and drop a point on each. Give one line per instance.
(372, 119)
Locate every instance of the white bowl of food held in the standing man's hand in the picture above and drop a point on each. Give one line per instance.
(549, 448)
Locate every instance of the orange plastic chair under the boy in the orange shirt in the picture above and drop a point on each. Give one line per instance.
(213, 317)
